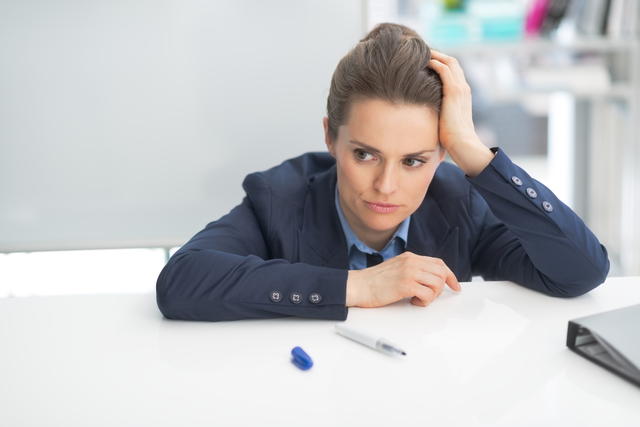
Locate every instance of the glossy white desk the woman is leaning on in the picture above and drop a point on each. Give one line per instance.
(493, 355)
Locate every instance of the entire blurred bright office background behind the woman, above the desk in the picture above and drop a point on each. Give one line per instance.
(126, 126)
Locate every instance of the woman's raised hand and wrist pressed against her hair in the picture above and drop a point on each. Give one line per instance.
(457, 133)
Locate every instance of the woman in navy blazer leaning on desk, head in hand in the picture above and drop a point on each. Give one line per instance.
(380, 217)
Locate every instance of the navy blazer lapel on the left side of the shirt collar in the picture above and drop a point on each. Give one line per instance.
(322, 240)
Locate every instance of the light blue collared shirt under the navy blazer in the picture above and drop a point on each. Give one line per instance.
(358, 250)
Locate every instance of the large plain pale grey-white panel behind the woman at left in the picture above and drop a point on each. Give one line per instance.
(132, 123)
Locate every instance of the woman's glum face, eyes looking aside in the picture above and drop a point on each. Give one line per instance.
(386, 157)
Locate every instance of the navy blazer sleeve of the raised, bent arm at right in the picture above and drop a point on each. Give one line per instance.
(530, 237)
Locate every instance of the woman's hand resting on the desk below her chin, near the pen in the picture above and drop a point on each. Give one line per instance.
(407, 275)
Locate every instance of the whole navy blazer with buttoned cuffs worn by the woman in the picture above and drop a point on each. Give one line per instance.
(286, 236)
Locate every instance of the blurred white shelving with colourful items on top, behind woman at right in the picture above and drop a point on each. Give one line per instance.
(593, 127)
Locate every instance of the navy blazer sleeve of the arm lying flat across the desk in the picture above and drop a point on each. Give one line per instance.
(225, 272)
